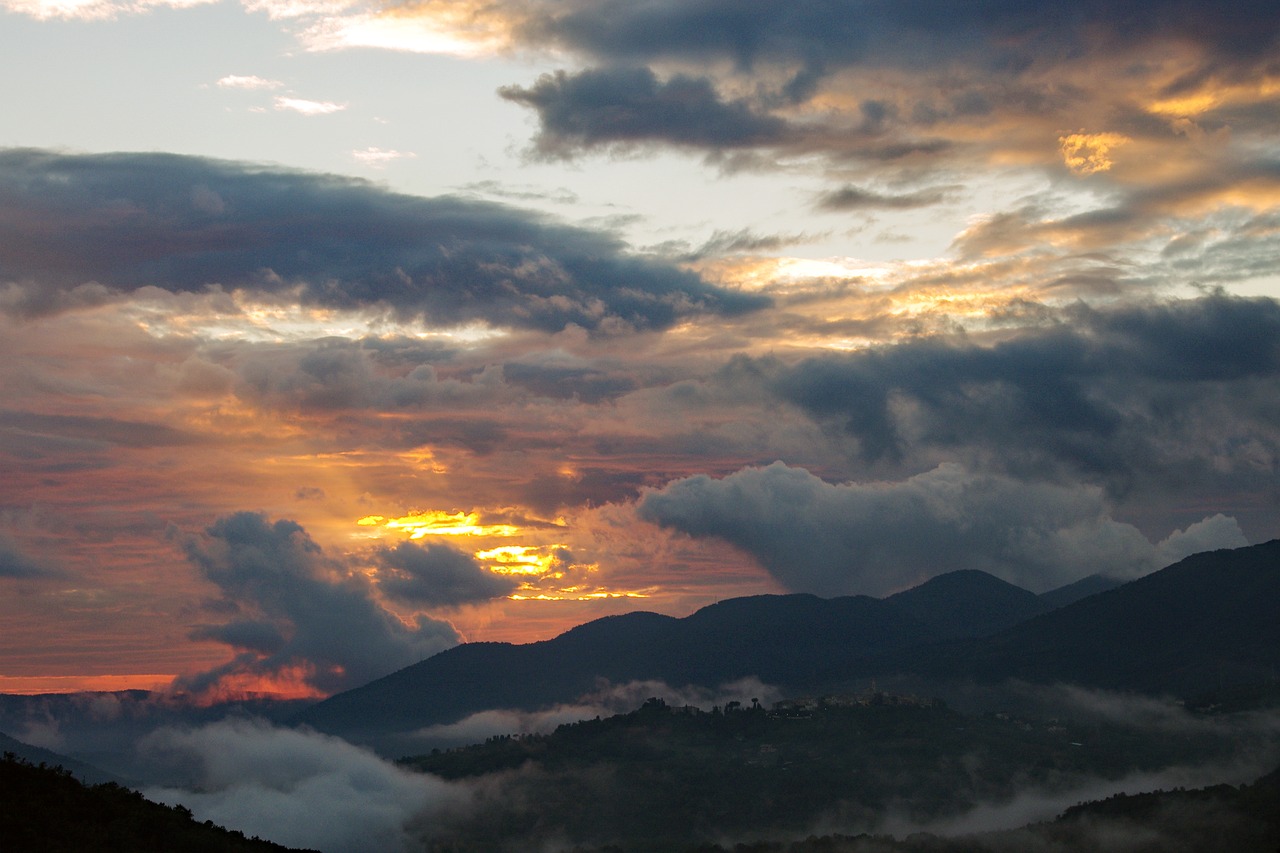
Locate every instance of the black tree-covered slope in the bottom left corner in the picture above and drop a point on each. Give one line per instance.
(47, 809)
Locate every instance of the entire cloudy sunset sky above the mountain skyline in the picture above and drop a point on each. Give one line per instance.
(336, 334)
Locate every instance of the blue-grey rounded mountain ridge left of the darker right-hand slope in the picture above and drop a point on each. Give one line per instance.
(790, 641)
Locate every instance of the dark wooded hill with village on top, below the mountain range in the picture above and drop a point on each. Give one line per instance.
(666, 779)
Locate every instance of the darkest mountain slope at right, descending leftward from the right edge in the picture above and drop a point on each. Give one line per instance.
(1208, 622)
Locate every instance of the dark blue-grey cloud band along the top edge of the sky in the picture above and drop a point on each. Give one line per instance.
(824, 35)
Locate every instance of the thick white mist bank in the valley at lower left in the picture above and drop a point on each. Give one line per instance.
(296, 788)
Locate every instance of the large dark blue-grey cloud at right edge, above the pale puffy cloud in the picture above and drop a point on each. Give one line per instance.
(1165, 390)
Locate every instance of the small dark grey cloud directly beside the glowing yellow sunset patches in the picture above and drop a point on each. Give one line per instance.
(437, 576)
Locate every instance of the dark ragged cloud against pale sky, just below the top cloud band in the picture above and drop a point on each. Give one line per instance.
(629, 106)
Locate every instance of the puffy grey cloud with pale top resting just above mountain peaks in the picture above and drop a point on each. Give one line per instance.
(876, 539)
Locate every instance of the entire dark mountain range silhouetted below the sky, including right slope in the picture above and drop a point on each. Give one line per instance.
(1204, 623)
